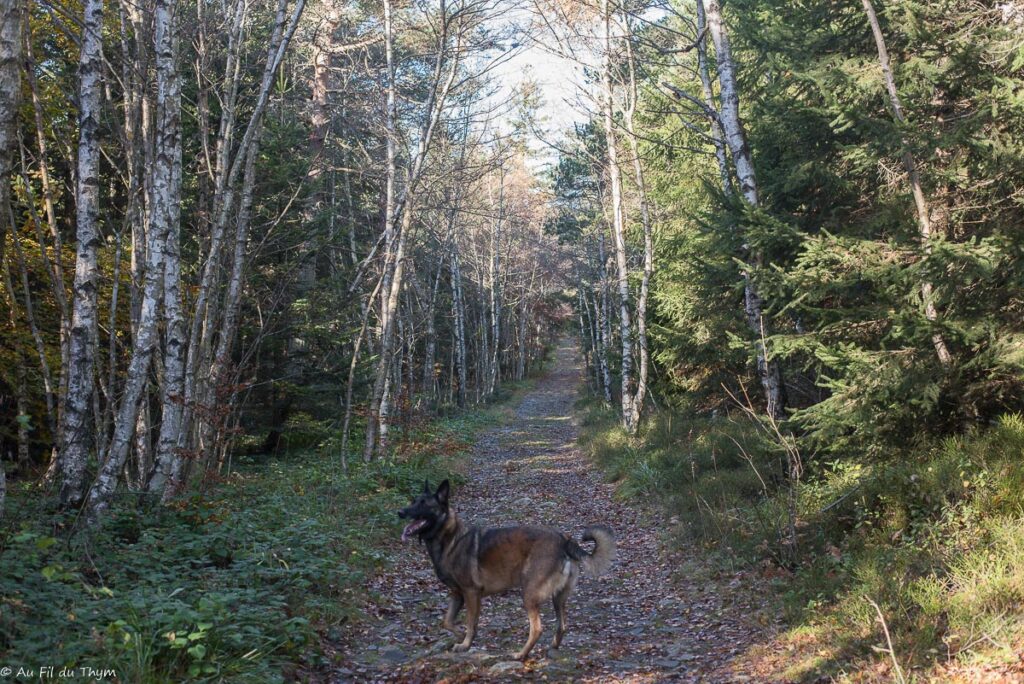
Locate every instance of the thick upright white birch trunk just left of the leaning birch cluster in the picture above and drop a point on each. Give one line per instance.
(77, 429)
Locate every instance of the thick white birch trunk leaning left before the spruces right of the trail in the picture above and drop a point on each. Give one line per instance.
(736, 137)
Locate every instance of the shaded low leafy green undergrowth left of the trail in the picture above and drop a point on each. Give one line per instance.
(238, 584)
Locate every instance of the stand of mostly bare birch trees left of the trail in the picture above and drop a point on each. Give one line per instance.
(273, 215)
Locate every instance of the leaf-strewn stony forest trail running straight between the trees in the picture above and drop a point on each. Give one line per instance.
(641, 623)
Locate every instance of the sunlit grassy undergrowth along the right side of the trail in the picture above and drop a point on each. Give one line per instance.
(934, 535)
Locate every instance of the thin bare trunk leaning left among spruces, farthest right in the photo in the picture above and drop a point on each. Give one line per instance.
(914, 178)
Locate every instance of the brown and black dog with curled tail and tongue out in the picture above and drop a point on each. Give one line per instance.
(475, 563)
